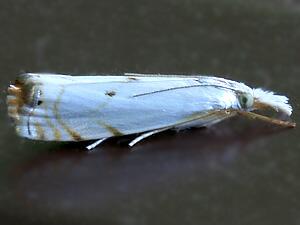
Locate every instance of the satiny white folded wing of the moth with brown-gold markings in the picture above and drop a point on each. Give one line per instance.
(66, 108)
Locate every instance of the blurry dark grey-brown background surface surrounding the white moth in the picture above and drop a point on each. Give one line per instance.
(237, 172)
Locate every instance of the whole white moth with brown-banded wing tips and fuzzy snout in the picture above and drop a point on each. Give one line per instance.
(53, 107)
